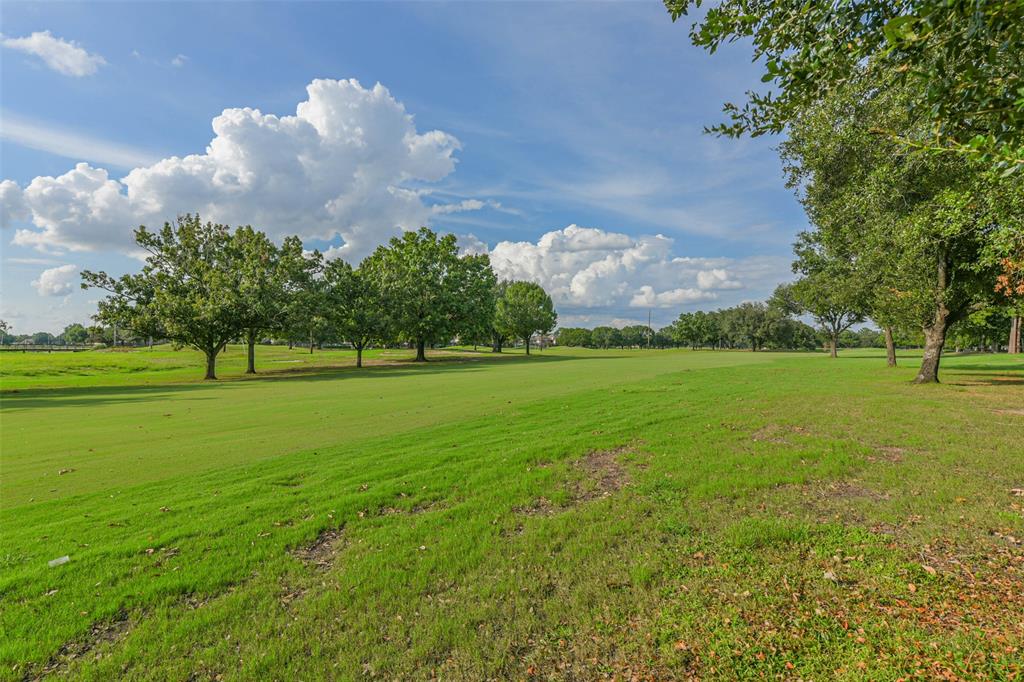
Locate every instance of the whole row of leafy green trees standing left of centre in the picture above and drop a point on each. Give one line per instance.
(204, 285)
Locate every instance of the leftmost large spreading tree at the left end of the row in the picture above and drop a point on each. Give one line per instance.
(187, 292)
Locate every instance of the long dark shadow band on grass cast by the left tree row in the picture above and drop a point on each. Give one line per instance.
(32, 399)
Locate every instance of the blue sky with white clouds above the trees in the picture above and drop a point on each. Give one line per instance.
(570, 145)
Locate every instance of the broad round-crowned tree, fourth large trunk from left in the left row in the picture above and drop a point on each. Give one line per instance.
(430, 292)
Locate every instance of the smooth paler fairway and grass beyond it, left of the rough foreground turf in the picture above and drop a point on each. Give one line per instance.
(126, 435)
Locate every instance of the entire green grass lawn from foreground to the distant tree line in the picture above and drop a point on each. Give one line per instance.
(572, 516)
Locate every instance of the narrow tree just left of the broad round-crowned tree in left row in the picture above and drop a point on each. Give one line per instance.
(354, 307)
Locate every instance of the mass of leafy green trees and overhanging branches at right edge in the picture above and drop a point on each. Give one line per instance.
(905, 126)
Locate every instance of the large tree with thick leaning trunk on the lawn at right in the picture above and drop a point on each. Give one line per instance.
(917, 226)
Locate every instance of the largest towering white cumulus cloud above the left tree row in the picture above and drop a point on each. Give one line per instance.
(336, 169)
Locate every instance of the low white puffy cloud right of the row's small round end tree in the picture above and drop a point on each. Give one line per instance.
(586, 268)
